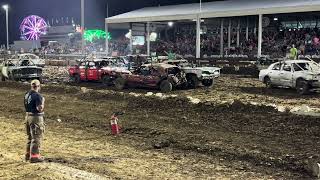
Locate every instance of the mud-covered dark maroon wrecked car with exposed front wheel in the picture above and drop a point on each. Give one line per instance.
(161, 76)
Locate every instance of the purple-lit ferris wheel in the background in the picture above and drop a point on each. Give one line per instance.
(32, 27)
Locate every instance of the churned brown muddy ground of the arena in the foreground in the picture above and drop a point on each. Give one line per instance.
(223, 137)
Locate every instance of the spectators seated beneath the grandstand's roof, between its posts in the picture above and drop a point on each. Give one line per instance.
(276, 43)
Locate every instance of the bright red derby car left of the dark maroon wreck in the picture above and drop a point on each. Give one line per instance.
(99, 70)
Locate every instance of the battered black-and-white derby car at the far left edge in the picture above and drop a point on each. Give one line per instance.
(20, 70)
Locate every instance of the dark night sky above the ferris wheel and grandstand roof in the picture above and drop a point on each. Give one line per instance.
(95, 11)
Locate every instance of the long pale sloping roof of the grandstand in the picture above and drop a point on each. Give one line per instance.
(227, 8)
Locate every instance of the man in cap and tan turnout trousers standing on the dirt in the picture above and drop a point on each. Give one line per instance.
(34, 105)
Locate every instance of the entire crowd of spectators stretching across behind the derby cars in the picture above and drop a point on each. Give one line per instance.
(276, 43)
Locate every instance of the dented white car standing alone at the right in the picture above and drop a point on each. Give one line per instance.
(302, 75)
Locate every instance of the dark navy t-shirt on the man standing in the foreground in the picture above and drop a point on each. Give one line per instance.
(32, 100)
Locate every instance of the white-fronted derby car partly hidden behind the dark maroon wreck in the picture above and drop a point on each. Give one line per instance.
(196, 75)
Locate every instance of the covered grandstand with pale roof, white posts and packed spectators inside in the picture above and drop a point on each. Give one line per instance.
(235, 27)
